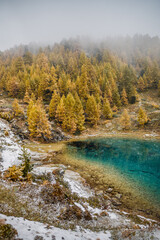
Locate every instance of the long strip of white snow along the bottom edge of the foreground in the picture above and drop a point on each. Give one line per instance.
(27, 230)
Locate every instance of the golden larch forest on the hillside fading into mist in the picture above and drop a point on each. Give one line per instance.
(79, 82)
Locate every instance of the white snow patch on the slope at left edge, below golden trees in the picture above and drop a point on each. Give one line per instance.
(9, 148)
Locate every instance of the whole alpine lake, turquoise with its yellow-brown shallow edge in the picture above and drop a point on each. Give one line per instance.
(132, 164)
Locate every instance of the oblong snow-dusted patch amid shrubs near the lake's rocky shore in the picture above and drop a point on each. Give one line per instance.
(76, 184)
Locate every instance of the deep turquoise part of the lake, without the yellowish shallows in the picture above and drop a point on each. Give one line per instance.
(137, 160)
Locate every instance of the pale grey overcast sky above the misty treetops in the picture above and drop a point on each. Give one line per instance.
(47, 21)
